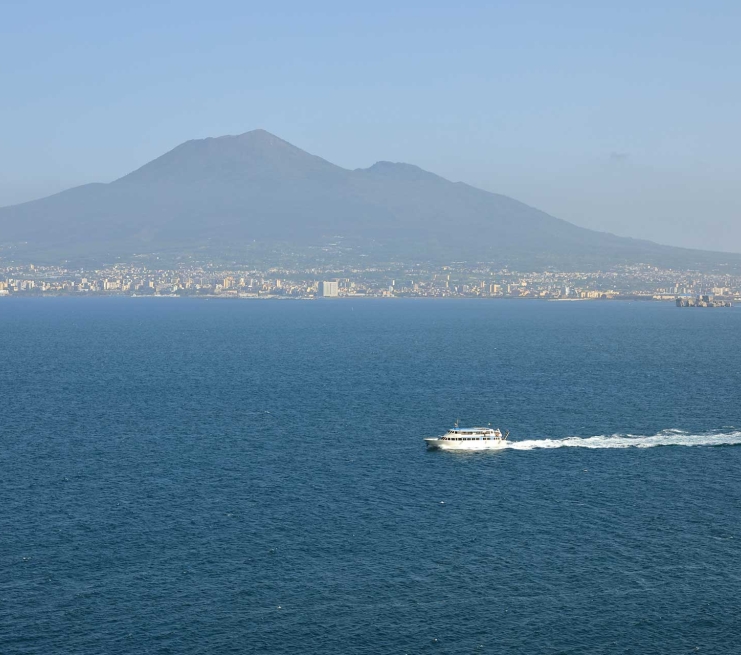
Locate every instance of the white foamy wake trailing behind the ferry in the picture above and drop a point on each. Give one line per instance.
(664, 438)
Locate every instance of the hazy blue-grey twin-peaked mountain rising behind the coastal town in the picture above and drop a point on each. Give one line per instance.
(230, 193)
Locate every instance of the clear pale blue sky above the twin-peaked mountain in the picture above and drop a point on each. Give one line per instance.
(620, 116)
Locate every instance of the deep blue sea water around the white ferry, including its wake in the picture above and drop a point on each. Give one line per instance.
(249, 477)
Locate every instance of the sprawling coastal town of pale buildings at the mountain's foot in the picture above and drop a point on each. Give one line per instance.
(457, 280)
